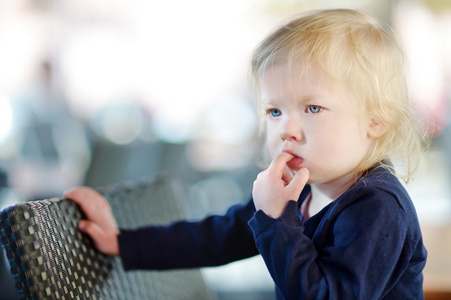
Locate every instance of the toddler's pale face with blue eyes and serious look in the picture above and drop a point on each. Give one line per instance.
(316, 121)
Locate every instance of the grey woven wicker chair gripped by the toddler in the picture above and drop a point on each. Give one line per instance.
(50, 258)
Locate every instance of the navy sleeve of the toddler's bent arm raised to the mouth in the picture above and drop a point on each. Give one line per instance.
(365, 246)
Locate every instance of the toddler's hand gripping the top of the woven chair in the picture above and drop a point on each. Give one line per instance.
(100, 224)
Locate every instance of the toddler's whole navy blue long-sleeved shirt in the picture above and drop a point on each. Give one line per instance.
(366, 244)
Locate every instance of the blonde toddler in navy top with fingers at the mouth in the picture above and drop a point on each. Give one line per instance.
(329, 215)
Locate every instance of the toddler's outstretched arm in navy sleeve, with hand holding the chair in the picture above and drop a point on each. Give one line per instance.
(213, 241)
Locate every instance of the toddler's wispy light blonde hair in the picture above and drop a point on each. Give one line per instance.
(361, 52)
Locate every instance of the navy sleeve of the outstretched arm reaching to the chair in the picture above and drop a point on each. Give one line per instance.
(216, 240)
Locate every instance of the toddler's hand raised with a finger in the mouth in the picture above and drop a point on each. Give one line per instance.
(274, 187)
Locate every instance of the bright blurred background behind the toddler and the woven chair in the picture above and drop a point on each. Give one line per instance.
(95, 92)
